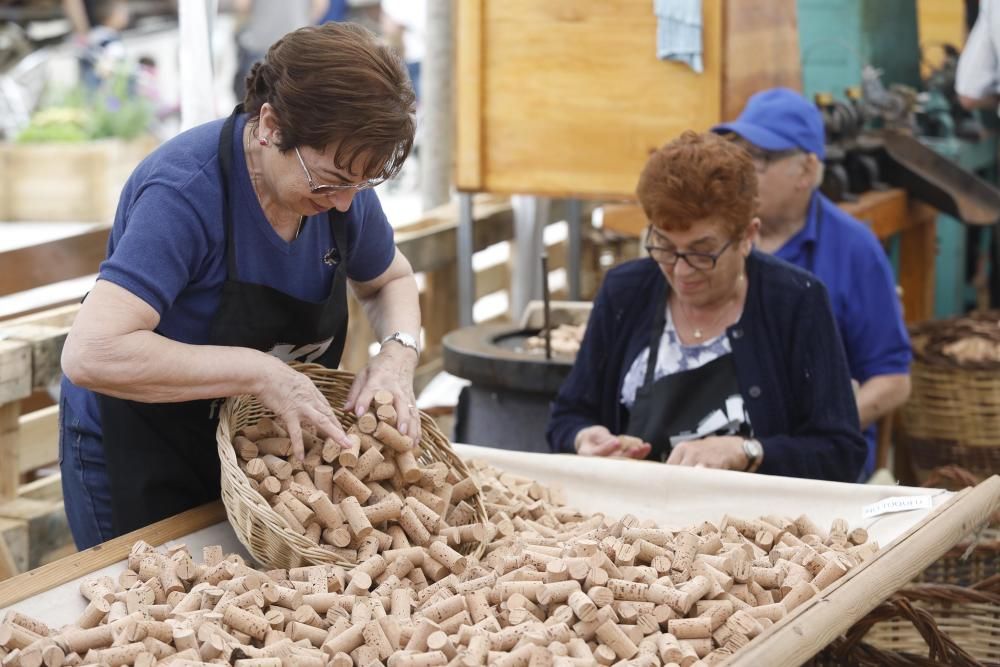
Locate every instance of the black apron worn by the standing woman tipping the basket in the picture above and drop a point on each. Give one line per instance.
(162, 457)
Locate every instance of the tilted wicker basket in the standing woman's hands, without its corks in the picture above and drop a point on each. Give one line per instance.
(262, 530)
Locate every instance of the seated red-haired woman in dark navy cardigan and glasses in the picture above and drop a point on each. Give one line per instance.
(709, 353)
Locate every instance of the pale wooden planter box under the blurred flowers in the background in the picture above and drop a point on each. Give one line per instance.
(58, 182)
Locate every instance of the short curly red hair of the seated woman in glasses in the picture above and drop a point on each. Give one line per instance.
(697, 176)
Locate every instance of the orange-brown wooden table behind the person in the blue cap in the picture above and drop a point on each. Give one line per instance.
(887, 213)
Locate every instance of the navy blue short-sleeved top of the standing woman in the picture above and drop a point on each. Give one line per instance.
(168, 245)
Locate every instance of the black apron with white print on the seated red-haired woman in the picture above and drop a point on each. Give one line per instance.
(686, 405)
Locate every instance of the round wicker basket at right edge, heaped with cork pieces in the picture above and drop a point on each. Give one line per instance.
(953, 414)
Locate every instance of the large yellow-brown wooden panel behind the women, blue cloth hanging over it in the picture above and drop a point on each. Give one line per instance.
(567, 97)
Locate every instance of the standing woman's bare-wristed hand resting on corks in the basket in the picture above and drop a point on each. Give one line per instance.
(295, 400)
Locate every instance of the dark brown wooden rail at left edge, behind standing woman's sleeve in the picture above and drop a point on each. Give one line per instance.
(46, 263)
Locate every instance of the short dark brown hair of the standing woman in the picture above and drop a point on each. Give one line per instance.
(338, 83)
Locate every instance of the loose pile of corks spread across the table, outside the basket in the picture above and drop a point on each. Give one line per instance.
(554, 587)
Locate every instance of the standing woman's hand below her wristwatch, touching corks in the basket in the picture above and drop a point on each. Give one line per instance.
(391, 369)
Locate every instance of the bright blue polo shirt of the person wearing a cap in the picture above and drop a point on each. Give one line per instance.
(850, 261)
